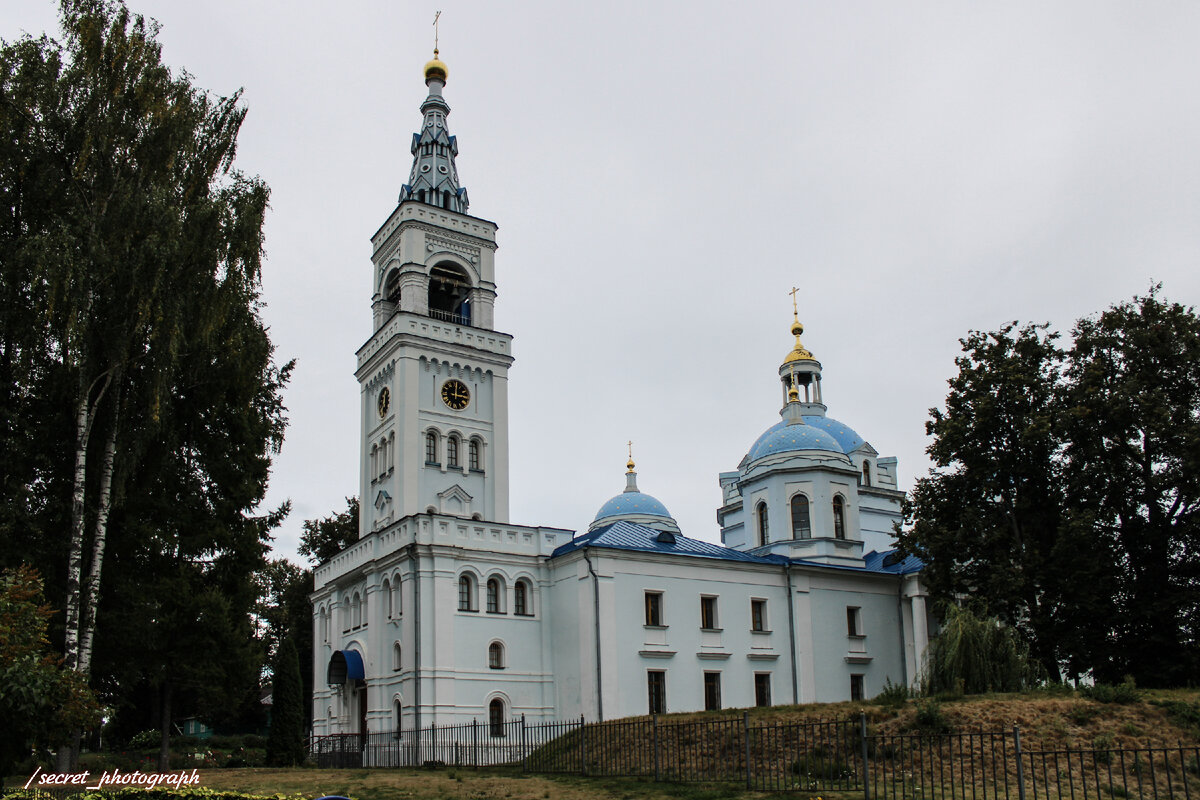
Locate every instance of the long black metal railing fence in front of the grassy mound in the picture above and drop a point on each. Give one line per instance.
(783, 756)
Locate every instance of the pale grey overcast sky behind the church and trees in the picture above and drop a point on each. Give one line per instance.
(663, 173)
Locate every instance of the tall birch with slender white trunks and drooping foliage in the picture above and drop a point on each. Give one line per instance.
(137, 245)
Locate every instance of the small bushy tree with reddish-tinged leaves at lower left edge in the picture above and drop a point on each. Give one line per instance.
(40, 700)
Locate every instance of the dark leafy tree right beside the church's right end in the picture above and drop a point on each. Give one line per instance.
(987, 518)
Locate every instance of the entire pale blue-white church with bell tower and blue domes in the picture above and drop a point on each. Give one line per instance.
(445, 612)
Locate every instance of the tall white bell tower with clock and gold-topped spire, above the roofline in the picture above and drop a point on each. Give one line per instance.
(434, 376)
